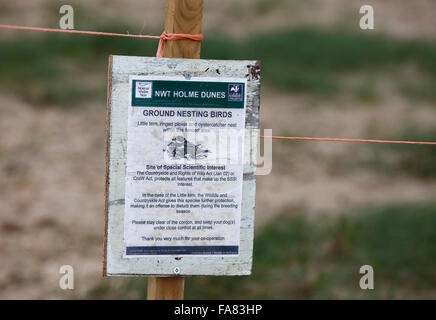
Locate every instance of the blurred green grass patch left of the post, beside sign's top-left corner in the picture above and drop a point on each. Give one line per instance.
(52, 70)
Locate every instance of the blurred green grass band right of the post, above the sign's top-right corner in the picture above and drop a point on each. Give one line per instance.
(312, 61)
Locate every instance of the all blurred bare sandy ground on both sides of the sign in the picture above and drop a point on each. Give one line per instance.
(52, 161)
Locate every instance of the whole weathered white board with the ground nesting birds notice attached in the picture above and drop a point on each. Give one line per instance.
(181, 153)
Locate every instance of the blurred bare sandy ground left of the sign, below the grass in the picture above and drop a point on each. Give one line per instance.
(52, 182)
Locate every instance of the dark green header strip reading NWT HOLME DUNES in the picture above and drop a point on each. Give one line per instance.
(188, 94)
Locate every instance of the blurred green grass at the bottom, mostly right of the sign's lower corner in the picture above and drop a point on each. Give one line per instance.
(297, 257)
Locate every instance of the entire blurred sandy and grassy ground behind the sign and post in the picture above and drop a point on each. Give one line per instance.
(324, 211)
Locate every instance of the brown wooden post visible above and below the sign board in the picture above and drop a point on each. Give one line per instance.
(182, 16)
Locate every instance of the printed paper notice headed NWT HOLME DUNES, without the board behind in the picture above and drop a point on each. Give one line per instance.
(184, 180)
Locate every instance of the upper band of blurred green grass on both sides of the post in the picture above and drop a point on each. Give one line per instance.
(49, 69)
